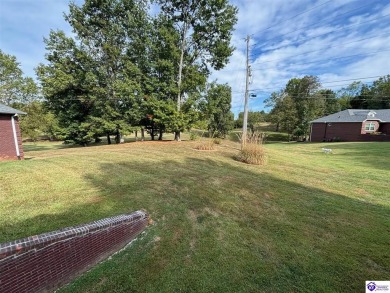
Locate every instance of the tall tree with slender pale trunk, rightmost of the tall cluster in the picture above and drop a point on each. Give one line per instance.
(204, 28)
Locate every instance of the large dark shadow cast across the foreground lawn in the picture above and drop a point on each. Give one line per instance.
(220, 227)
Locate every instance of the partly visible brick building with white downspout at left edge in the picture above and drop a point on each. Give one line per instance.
(10, 138)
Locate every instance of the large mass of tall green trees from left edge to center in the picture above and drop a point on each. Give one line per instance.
(124, 70)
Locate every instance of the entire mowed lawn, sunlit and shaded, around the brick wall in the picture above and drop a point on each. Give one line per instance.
(305, 222)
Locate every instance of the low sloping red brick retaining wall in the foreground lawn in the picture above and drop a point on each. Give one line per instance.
(44, 262)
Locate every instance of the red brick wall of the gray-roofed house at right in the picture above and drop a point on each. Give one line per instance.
(346, 132)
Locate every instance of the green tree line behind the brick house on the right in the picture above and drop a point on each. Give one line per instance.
(303, 100)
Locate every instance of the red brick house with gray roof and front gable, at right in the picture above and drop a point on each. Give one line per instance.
(352, 125)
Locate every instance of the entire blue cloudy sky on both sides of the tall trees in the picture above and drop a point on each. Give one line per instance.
(339, 41)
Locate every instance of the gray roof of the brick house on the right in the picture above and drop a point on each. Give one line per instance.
(356, 115)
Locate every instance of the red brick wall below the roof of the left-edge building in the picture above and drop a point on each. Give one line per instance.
(7, 143)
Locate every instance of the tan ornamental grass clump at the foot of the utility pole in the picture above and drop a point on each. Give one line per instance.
(253, 151)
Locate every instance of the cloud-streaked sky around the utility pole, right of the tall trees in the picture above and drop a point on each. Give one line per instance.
(331, 33)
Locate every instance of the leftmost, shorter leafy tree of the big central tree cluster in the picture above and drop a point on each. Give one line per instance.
(68, 85)
